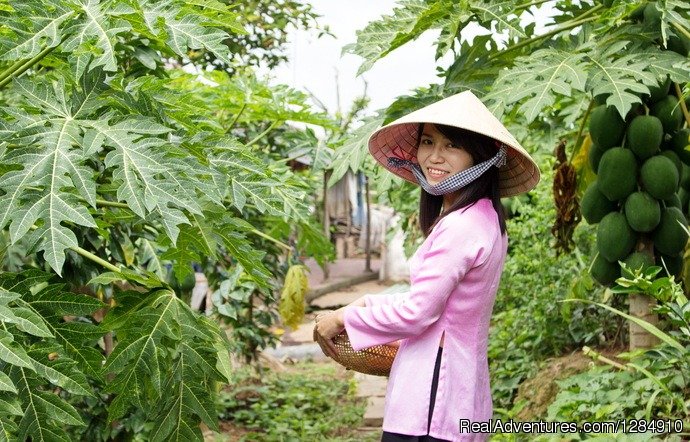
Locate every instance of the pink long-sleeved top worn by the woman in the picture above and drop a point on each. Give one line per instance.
(454, 277)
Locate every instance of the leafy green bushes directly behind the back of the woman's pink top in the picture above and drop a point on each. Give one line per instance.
(529, 324)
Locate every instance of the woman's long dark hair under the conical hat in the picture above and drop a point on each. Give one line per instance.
(481, 148)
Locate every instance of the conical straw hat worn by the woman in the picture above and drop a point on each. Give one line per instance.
(464, 110)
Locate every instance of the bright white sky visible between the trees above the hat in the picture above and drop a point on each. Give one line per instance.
(315, 62)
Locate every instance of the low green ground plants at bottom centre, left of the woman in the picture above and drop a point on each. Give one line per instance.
(309, 404)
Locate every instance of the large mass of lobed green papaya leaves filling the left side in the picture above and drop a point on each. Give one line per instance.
(110, 157)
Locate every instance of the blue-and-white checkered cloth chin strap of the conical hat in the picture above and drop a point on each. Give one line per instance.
(453, 182)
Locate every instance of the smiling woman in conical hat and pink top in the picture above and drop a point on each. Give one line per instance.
(465, 160)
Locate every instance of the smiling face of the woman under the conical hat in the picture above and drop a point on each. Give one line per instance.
(439, 157)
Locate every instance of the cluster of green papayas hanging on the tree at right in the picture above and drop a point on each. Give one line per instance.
(642, 187)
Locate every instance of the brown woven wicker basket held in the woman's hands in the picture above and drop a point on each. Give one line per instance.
(375, 360)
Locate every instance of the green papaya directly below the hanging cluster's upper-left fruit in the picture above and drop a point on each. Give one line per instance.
(617, 173)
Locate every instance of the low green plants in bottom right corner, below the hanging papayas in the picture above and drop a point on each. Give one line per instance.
(654, 383)
